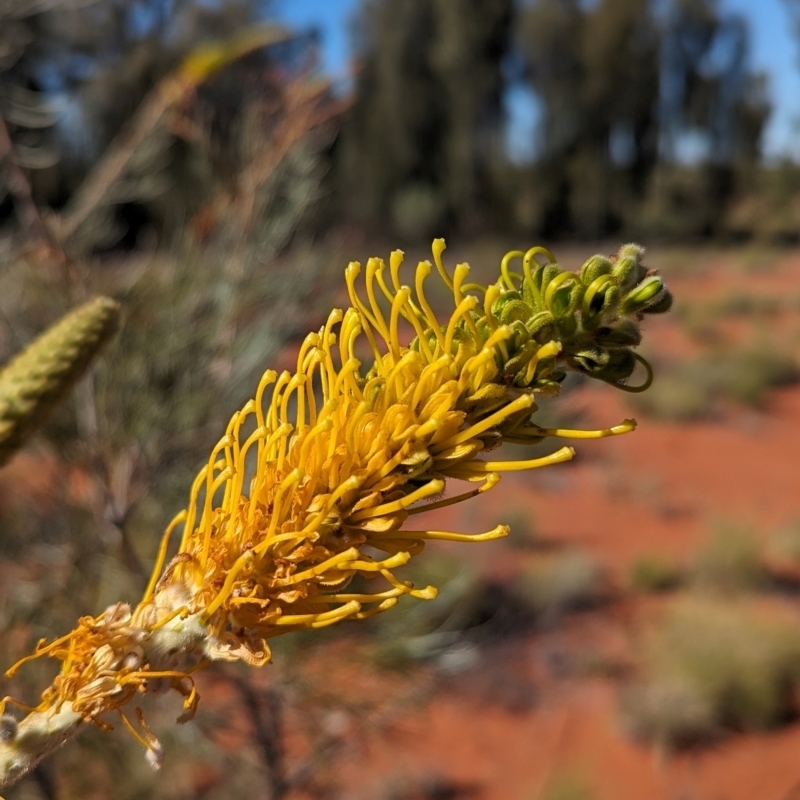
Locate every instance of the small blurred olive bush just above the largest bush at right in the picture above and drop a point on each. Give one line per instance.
(730, 562)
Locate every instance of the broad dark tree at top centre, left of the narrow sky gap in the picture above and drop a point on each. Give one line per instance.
(424, 131)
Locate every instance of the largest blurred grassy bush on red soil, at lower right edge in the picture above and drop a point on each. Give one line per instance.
(714, 666)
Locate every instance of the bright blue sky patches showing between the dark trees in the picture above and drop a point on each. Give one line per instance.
(773, 50)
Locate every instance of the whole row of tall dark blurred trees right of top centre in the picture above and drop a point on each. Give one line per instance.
(618, 84)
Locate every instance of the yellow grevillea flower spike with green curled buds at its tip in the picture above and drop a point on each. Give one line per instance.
(315, 486)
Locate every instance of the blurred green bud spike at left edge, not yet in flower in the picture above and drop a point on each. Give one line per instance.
(37, 379)
